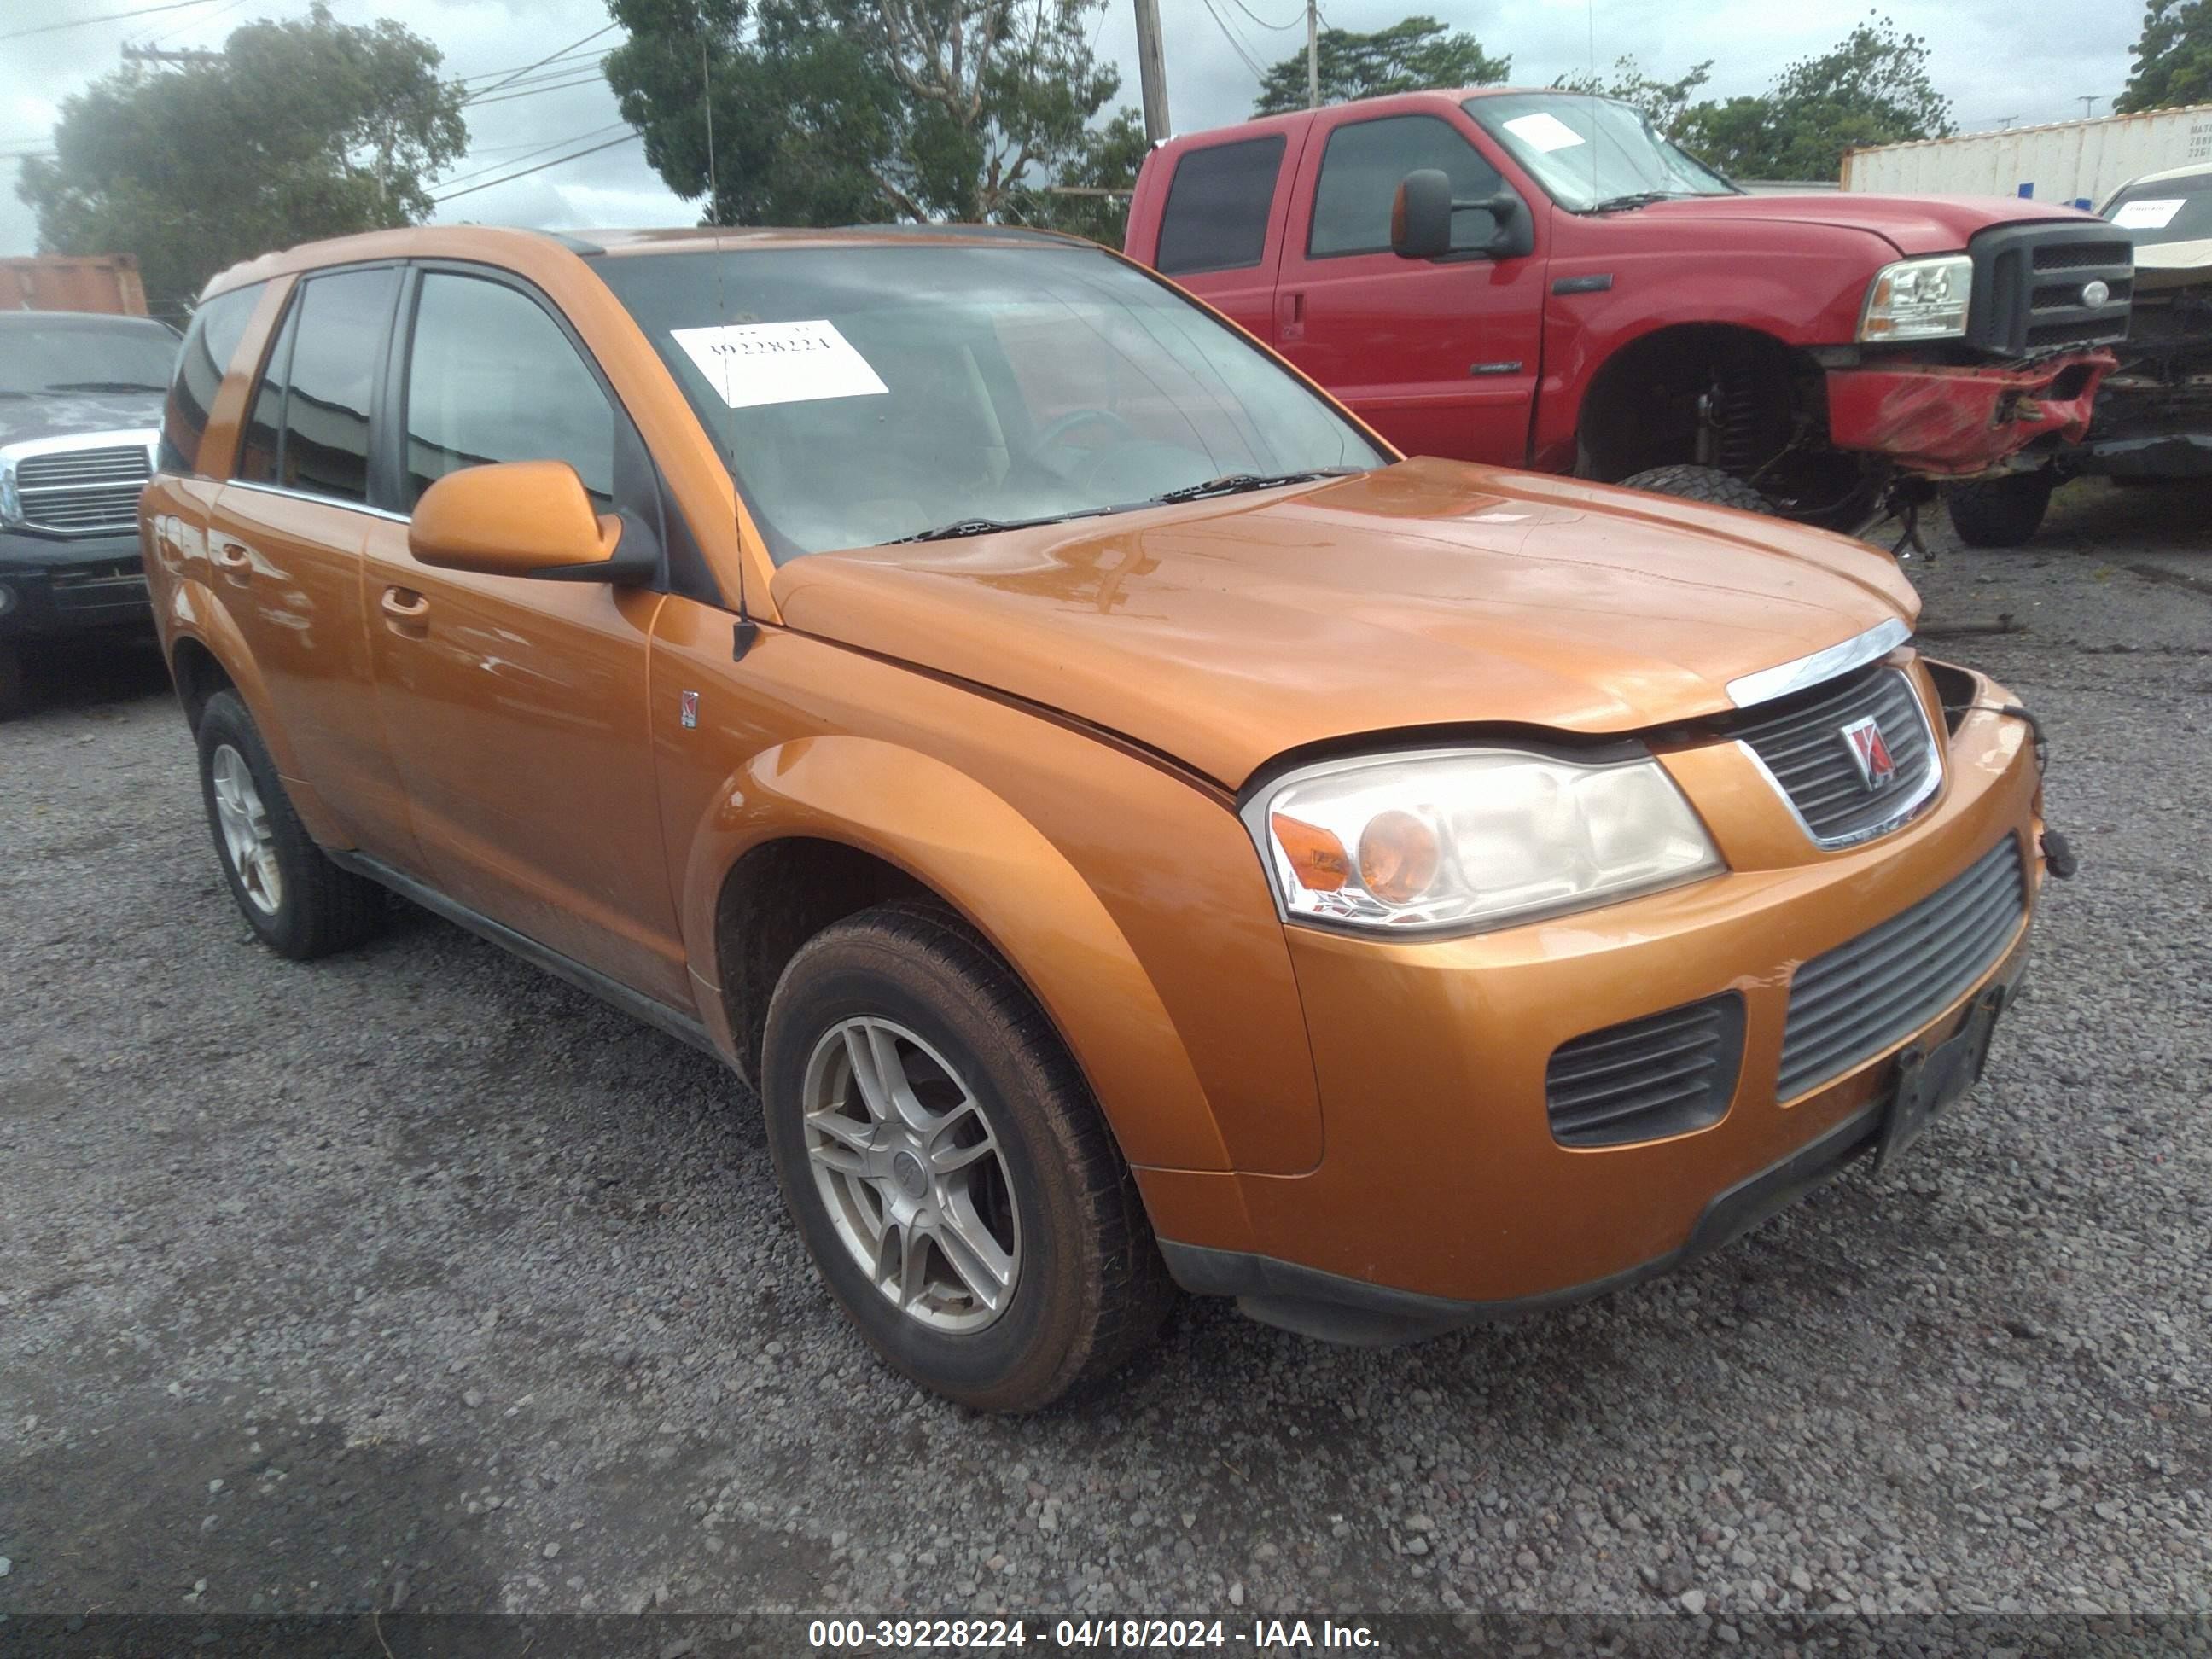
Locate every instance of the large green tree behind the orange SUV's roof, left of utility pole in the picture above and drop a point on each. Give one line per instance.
(835, 112)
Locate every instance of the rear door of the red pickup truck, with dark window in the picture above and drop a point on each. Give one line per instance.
(1222, 227)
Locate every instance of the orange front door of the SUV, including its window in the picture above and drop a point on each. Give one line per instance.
(517, 709)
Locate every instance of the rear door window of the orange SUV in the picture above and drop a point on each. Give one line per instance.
(337, 337)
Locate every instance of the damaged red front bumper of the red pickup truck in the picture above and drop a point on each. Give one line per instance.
(1957, 421)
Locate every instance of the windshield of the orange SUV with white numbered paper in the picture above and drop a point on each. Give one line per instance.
(877, 393)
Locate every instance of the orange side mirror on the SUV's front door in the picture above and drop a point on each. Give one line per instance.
(521, 519)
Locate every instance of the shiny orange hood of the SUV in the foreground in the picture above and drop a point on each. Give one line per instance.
(1426, 594)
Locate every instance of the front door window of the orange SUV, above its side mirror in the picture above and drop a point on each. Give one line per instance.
(492, 377)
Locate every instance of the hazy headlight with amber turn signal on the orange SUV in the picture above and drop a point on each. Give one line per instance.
(1472, 839)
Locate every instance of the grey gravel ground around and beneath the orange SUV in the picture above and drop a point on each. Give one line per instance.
(417, 1280)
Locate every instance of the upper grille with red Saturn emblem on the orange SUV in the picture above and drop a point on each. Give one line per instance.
(1813, 764)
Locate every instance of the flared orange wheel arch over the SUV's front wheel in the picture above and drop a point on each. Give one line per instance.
(853, 822)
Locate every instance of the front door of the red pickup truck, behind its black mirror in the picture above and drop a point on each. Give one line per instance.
(1437, 357)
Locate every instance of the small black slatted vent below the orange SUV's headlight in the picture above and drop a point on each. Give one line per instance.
(1649, 1078)
